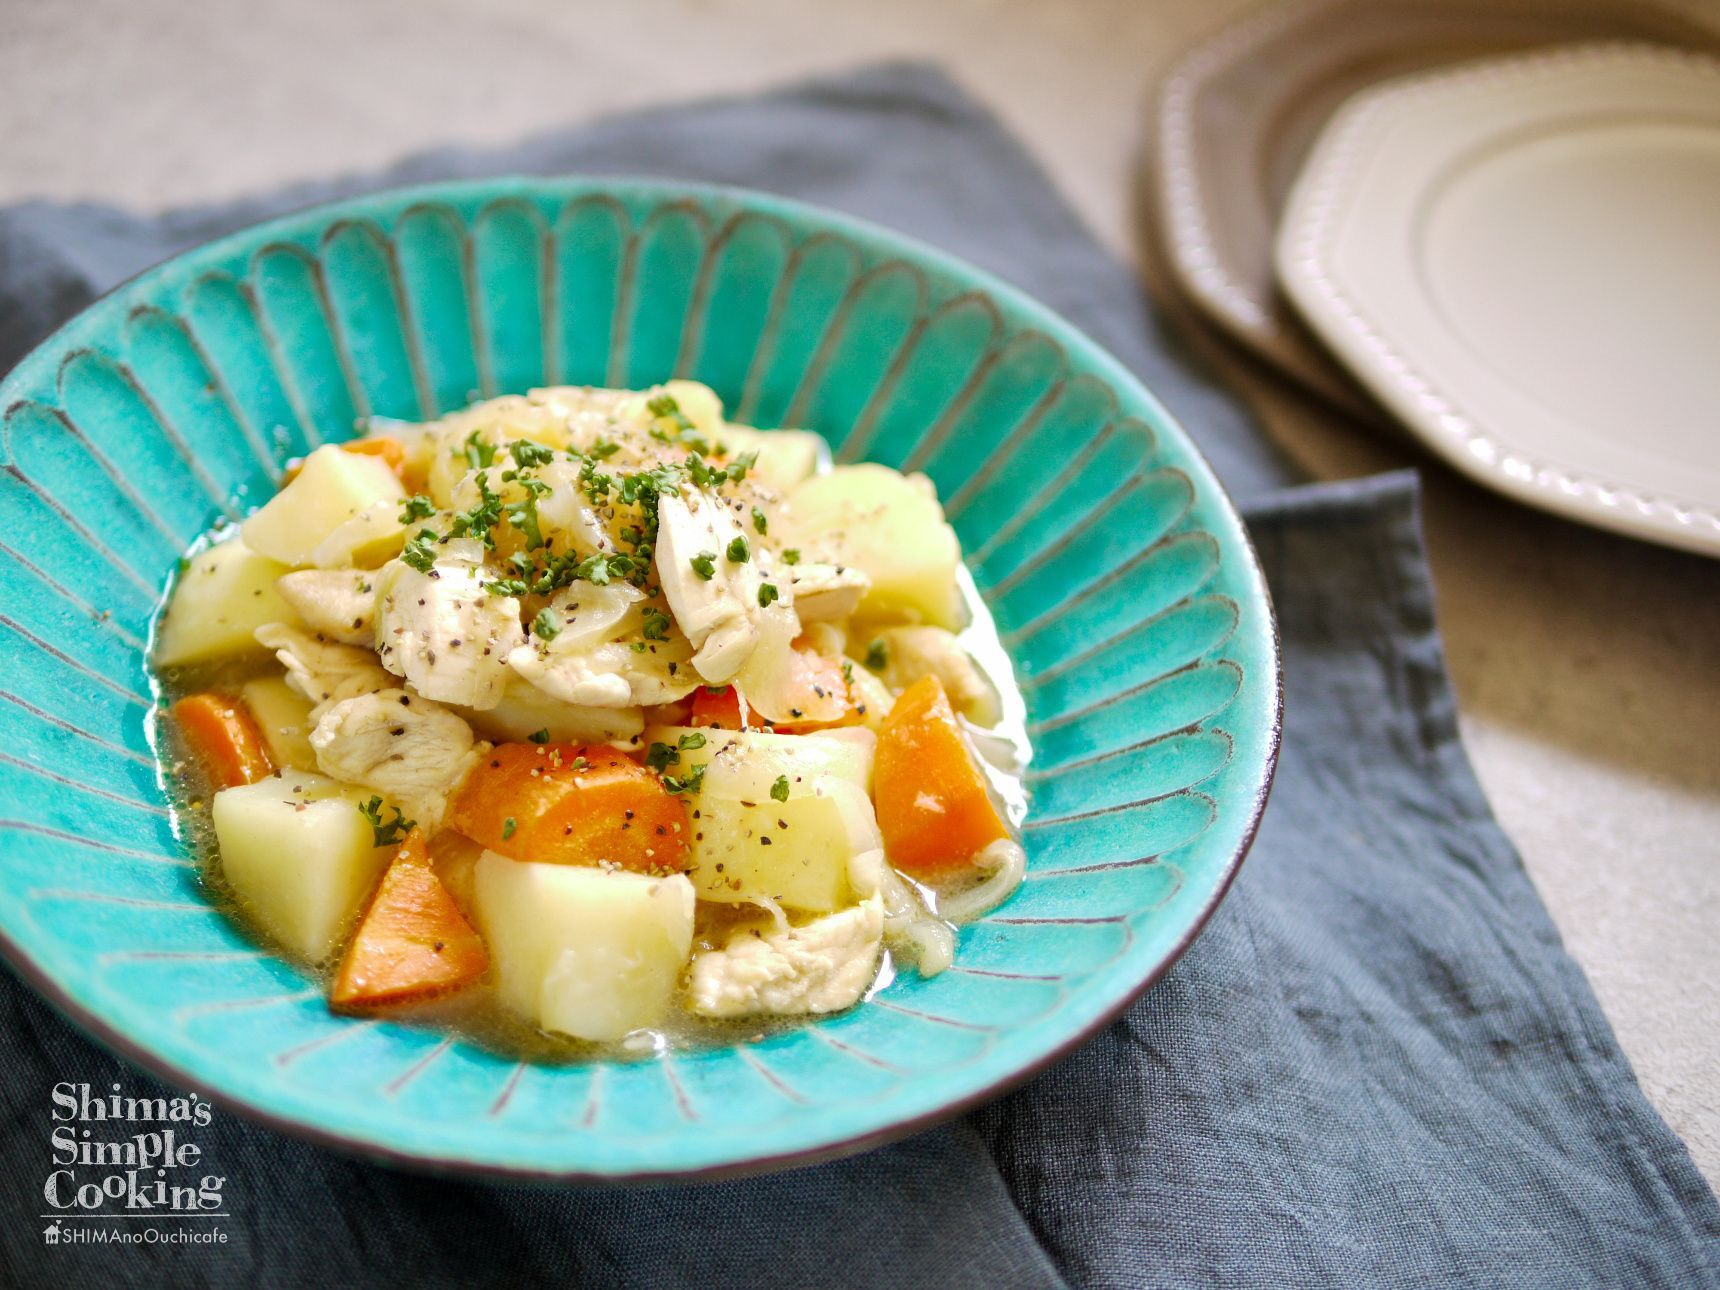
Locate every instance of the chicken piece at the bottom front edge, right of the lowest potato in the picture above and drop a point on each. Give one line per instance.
(818, 967)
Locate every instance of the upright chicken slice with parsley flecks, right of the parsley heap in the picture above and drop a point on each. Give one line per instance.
(720, 615)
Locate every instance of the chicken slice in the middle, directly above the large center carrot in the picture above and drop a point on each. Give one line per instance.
(591, 660)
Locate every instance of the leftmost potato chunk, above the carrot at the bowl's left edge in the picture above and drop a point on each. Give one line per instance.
(223, 598)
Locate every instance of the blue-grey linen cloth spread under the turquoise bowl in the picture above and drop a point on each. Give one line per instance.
(1377, 1067)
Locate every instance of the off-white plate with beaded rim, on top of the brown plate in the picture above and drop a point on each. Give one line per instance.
(1523, 261)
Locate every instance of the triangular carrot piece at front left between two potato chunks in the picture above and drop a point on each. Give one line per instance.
(412, 943)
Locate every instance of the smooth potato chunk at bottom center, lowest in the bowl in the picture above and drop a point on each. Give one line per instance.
(586, 952)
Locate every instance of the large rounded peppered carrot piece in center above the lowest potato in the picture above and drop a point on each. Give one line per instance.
(572, 806)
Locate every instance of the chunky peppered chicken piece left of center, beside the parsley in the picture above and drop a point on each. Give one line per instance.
(443, 630)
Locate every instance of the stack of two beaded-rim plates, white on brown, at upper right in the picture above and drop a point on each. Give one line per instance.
(1497, 224)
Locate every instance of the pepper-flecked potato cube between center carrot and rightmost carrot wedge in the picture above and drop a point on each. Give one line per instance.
(756, 845)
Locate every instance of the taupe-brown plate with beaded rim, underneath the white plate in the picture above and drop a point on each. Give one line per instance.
(1239, 114)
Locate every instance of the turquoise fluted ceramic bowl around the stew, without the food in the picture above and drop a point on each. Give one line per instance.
(1119, 574)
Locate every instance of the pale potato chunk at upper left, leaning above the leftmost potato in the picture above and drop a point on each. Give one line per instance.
(331, 491)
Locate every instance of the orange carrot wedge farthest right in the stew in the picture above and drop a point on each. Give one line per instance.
(933, 806)
